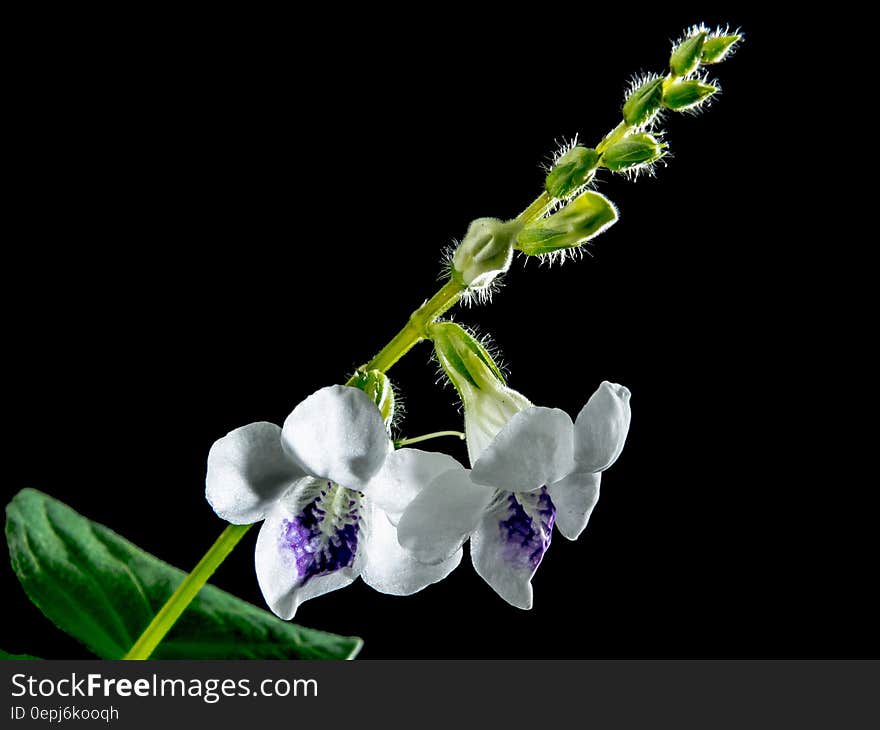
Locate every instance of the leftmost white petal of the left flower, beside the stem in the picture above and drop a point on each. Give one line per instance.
(247, 471)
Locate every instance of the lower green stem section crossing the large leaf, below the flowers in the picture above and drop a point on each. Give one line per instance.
(186, 592)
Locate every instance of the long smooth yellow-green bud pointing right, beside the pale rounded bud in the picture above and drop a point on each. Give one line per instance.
(585, 217)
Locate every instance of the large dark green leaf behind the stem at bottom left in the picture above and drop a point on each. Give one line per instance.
(104, 590)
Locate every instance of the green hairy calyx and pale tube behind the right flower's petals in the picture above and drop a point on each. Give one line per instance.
(488, 402)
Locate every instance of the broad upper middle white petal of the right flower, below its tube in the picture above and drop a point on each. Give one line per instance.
(535, 448)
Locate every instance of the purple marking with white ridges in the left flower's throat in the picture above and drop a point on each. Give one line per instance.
(316, 550)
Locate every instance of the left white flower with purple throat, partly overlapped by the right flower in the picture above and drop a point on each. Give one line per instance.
(331, 489)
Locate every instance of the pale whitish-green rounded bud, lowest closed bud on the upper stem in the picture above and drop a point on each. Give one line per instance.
(485, 252)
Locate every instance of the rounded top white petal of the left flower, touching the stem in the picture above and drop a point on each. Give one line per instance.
(337, 433)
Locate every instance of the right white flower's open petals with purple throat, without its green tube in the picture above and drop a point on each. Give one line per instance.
(539, 470)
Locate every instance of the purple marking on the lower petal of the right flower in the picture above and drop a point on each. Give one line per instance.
(529, 528)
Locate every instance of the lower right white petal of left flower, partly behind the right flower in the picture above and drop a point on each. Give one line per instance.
(389, 568)
